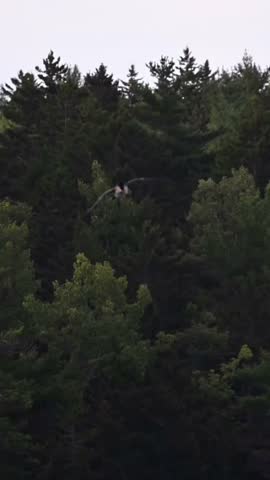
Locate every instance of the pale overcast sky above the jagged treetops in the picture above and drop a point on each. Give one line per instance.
(121, 32)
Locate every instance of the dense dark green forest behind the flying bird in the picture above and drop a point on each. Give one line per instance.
(135, 337)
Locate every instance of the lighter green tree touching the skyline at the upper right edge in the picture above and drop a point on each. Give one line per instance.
(240, 113)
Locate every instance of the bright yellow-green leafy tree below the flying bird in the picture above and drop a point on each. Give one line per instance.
(91, 330)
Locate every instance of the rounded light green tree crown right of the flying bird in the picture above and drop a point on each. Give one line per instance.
(224, 215)
